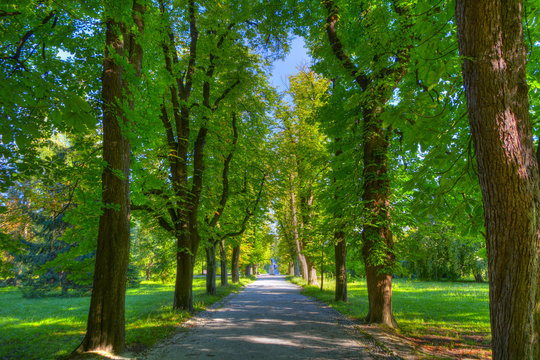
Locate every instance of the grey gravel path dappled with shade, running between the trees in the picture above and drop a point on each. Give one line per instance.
(269, 319)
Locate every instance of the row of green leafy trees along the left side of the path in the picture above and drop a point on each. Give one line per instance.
(180, 117)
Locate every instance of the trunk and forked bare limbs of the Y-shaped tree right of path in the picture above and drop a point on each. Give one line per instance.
(376, 236)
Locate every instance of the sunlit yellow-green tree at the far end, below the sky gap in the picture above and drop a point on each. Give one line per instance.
(302, 144)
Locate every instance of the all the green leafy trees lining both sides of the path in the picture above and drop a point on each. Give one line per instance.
(370, 148)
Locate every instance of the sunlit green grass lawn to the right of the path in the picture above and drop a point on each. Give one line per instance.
(433, 314)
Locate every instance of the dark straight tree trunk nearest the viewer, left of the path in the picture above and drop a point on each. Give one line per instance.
(106, 319)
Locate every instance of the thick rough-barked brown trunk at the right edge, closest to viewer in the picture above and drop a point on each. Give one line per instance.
(490, 37)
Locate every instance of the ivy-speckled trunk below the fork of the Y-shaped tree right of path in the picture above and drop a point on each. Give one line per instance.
(377, 239)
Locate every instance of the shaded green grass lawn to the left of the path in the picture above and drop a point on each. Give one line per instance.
(51, 327)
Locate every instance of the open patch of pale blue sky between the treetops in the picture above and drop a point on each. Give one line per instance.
(282, 69)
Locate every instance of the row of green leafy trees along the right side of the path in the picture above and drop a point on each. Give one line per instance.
(396, 95)
